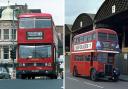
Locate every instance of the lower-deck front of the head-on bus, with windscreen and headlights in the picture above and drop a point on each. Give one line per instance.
(35, 58)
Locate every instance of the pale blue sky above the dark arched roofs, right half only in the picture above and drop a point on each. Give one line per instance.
(74, 8)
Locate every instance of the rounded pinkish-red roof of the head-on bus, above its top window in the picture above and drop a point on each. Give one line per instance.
(35, 15)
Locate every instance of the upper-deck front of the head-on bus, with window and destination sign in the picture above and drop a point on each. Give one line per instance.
(35, 29)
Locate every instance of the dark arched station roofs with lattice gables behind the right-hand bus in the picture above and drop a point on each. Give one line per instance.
(112, 14)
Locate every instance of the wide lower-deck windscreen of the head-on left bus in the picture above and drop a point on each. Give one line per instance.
(35, 51)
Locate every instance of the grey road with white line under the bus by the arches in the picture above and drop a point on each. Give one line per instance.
(85, 83)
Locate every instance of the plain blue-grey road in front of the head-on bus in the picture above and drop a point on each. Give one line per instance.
(32, 84)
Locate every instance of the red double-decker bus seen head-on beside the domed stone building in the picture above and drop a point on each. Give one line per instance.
(37, 46)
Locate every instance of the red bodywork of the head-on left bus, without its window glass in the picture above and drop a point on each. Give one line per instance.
(30, 67)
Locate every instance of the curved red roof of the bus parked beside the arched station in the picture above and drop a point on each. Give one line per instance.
(97, 30)
